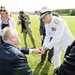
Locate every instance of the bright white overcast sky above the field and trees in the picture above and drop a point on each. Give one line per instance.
(32, 5)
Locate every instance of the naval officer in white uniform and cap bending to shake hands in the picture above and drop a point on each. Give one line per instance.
(57, 28)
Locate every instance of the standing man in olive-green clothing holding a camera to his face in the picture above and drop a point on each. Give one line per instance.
(24, 20)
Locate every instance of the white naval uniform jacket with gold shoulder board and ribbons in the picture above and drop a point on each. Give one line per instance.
(60, 32)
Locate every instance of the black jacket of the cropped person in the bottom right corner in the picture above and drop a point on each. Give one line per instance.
(68, 66)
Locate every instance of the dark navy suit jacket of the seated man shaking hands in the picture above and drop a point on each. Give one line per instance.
(13, 61)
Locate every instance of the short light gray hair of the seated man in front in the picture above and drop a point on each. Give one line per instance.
(7, 32)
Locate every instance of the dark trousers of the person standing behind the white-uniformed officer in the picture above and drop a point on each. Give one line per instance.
(50, 54)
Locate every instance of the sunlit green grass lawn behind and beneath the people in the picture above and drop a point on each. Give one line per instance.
(34, 59)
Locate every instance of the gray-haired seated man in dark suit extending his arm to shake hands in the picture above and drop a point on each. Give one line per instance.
(12, 59)
